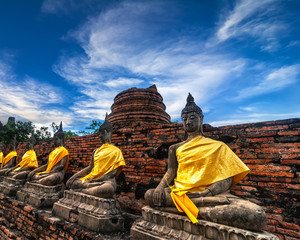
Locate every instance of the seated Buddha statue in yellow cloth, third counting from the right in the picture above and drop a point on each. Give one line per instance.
(53, 172)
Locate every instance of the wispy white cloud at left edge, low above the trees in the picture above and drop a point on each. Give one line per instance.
(30, 100)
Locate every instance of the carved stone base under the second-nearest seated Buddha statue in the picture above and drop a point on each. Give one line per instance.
(94, 213)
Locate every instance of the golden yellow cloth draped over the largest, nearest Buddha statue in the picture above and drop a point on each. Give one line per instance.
(202, 162)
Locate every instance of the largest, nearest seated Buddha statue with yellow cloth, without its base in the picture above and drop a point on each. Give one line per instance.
(203, 170)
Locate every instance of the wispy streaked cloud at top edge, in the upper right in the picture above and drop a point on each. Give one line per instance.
(257, 19)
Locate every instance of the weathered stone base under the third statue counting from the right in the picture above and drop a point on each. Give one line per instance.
(39, 195)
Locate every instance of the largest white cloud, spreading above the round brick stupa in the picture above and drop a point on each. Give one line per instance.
(122, 39)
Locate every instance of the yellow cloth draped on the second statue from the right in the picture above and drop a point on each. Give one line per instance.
(106, 159)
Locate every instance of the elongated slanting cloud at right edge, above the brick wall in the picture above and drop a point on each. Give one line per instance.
(274, 81)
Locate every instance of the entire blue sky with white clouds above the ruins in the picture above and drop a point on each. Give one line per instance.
(67, 59)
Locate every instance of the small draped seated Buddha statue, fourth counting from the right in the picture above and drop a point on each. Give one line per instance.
(28, 163)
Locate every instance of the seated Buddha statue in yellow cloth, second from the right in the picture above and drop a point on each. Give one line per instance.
(98, 179)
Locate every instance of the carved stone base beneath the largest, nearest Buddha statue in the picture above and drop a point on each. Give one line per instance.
(158, 225)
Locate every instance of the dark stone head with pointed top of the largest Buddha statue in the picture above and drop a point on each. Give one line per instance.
(192, 116)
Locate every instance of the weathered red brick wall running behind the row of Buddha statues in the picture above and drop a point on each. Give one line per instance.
(270, 149)
